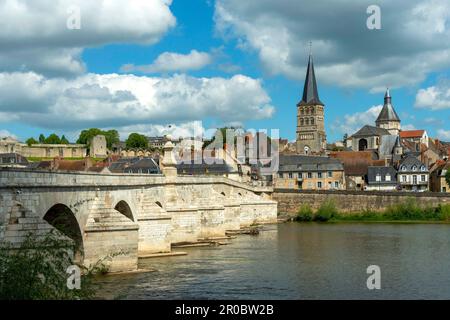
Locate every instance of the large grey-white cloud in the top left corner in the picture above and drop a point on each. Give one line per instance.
(35, 37)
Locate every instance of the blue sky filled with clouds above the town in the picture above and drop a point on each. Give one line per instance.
(185, 67)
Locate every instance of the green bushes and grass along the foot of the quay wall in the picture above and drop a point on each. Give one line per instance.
(408, 211)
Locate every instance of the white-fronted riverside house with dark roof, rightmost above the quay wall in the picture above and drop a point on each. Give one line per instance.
(413, 175)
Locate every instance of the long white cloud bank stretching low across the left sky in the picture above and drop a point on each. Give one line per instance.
(114, 100)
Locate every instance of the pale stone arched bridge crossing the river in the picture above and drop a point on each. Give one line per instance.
(133, 214)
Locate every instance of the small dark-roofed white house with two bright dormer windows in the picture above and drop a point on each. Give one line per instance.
(381, 178)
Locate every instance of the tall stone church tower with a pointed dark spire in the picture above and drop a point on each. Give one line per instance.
(311, 137)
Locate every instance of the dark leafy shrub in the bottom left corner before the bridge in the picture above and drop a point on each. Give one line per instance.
(38, 270)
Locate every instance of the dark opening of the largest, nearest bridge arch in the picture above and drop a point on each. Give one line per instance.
(63, 219)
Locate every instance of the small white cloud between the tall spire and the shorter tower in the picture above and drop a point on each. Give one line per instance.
(355, 121)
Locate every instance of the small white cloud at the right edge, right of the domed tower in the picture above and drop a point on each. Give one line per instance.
(434, 97)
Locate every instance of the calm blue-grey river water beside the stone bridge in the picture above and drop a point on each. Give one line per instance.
(301, 261)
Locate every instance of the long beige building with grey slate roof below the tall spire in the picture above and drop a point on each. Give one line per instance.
(309, 173)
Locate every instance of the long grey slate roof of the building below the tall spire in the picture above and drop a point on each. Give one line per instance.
(300, 163)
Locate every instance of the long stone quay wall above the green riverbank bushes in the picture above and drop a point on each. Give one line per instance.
(289, 201)
